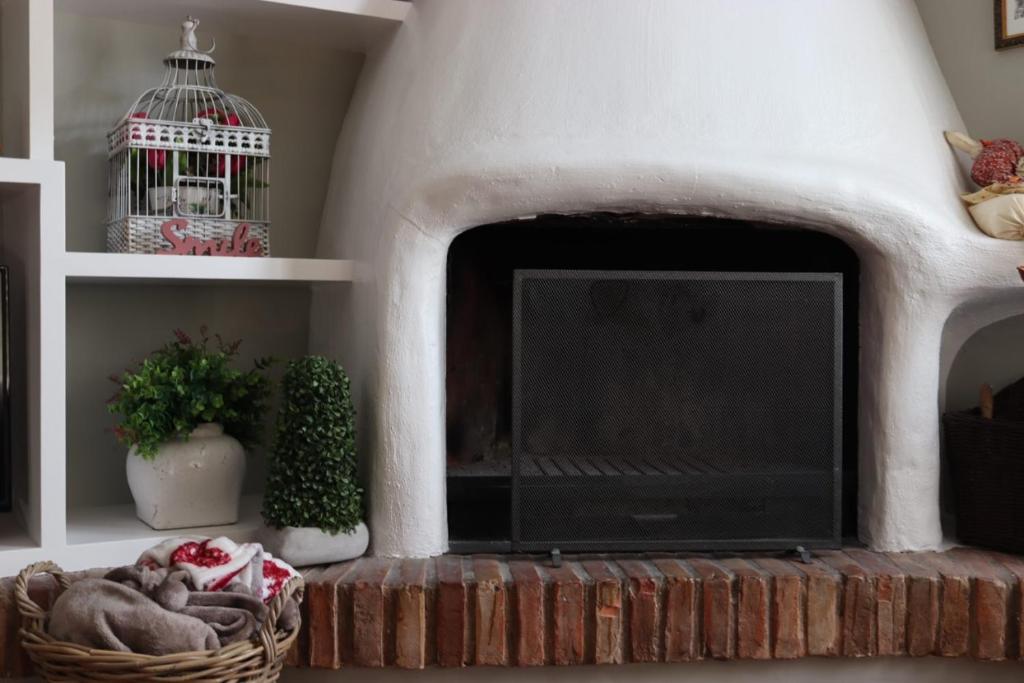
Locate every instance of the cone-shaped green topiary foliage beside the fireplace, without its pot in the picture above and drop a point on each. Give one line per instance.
(312, 481)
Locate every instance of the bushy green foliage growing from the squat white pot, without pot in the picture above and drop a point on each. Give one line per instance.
(187, 383)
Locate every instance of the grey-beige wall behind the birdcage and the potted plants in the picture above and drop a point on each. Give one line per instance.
(101, 67)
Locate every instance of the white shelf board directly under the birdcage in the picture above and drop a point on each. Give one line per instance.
(101, 268)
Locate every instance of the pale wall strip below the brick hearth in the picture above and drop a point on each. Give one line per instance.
(889, 670)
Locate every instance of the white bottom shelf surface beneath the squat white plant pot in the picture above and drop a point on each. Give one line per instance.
(118, 530)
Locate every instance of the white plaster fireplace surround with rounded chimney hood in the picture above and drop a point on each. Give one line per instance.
(821, 114)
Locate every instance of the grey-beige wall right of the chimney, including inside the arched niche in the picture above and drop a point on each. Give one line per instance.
(989, 88)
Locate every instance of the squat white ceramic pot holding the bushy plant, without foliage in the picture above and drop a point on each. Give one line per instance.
(191, 483)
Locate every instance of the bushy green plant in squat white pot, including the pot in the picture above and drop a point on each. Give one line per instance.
(188, 415)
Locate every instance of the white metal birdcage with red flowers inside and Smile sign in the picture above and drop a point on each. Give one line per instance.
(190, 166)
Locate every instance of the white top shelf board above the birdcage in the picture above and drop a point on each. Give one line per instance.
(348, 25)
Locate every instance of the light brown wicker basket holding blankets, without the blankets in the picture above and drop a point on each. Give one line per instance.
(261, 660)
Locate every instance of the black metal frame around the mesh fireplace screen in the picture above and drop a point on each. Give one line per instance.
(637, 484)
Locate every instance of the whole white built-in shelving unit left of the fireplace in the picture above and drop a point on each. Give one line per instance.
(33, 242)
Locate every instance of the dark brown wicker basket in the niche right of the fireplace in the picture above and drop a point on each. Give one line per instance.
(987, 461)
